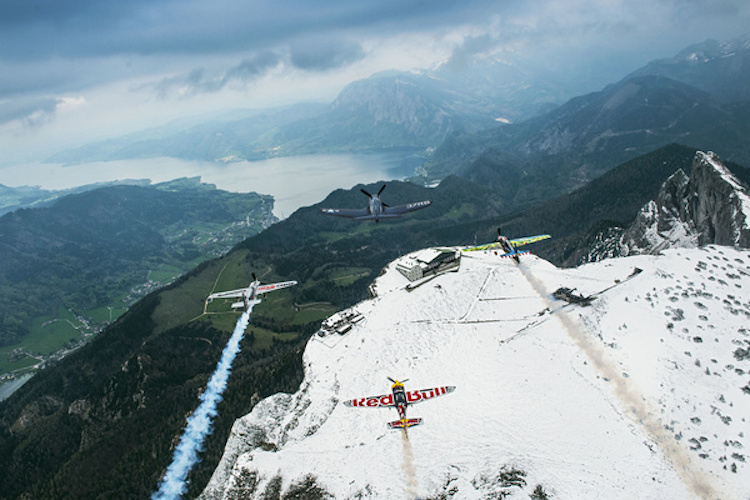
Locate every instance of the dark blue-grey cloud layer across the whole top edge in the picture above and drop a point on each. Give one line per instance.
(93, 42)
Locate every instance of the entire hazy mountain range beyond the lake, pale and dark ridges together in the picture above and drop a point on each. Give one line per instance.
(492, 121)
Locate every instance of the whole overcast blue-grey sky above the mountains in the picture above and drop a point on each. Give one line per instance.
(77, 70)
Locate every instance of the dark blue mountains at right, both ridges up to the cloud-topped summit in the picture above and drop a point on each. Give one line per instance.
(700, 100)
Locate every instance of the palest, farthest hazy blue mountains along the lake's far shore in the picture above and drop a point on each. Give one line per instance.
(390, 109)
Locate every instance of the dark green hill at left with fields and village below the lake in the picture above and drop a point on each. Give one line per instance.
(89, 250)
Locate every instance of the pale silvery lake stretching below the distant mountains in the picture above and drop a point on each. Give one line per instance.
(294, 181)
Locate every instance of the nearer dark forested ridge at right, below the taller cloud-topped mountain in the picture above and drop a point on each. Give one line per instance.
(590, 134)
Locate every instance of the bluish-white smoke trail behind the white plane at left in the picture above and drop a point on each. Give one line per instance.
(199, 423)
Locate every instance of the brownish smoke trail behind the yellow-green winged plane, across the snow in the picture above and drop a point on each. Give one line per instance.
(635, 405)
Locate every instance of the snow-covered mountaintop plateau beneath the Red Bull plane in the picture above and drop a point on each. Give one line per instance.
(643, 394)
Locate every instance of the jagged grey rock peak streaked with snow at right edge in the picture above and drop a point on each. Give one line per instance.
(711, 206)
